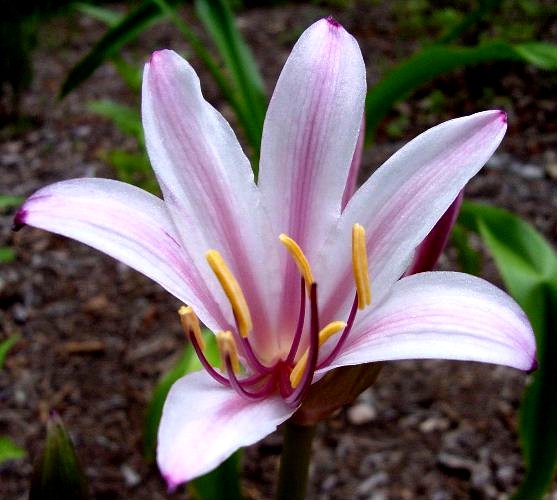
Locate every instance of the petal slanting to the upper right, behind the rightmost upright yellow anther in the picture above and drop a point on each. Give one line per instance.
(402, 201)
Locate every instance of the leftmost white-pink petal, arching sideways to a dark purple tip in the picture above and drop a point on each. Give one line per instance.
(128, 224)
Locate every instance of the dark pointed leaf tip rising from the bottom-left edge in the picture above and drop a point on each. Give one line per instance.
(57, 474)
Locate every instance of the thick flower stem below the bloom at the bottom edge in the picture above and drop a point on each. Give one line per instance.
(294, 461)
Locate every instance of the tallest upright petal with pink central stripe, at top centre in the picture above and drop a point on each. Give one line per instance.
(309, 137)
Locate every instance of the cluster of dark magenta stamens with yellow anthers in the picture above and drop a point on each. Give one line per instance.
(290, 376)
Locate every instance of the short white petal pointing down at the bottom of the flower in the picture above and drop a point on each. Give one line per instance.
(203, 423)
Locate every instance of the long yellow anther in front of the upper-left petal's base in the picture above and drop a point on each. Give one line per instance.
(232, 290)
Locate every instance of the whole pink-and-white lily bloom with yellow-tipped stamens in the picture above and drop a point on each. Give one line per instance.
(295, 278)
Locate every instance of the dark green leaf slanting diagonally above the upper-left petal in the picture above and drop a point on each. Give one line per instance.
(140, 18)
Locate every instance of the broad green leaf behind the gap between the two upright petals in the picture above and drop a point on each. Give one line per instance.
(218, 20)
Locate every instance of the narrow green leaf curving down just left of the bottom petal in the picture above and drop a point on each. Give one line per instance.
(188, 363)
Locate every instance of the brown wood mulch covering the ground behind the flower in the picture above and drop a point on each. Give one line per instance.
(96, 335)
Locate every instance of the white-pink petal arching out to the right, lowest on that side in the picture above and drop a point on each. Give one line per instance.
(446, 316)
